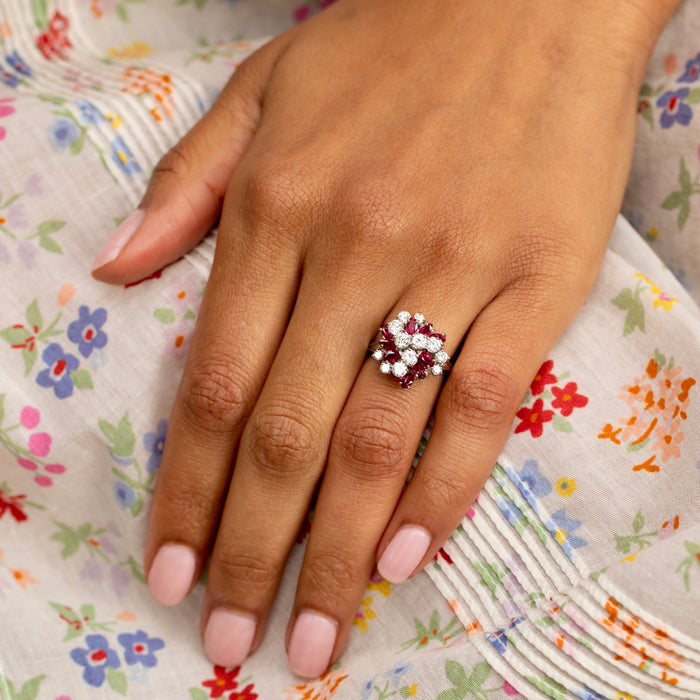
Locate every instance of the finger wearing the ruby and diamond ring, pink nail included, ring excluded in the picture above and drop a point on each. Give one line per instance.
(371, 451)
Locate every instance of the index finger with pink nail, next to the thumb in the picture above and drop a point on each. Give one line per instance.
(244, 312)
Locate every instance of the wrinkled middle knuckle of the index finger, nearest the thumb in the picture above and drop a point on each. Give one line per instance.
(215, 397)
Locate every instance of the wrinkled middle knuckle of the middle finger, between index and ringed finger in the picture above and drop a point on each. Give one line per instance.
(281, 443)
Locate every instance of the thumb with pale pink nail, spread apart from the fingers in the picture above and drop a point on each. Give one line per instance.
(186, 191)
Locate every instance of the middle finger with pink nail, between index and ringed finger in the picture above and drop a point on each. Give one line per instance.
(281, 457)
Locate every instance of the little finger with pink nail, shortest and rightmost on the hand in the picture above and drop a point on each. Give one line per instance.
(505, 346)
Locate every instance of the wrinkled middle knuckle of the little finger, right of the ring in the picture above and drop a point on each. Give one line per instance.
(481, 397)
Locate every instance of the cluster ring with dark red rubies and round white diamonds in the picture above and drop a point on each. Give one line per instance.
(410, 348)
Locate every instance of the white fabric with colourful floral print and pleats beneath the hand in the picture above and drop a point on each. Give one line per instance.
(576, 574)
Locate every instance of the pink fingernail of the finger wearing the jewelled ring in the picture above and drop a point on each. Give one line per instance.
(311, 644)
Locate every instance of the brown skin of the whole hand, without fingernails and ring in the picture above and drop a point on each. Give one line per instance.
(465, 159)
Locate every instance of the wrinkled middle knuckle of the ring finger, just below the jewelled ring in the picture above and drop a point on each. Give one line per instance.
(372, 443)
